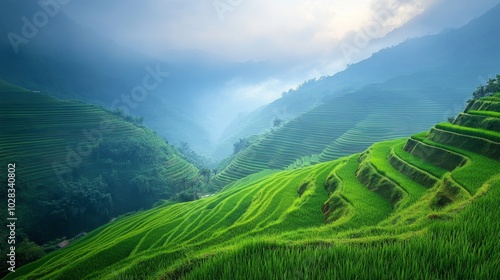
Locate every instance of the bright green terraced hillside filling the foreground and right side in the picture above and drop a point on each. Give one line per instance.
(419, 208)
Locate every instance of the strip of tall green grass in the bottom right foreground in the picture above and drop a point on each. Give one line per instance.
(463, 248)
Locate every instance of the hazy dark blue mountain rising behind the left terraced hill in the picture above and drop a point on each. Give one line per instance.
(75, 63)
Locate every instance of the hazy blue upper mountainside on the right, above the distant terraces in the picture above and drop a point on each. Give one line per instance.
(450, 65)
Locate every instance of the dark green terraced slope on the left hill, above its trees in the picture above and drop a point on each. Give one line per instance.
(40, 132)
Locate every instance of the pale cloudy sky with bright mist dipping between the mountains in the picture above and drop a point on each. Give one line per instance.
(310, 38)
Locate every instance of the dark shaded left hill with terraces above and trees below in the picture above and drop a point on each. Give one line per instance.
(79, 165)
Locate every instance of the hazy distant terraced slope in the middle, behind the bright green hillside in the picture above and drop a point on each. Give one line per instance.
(339, 127)
